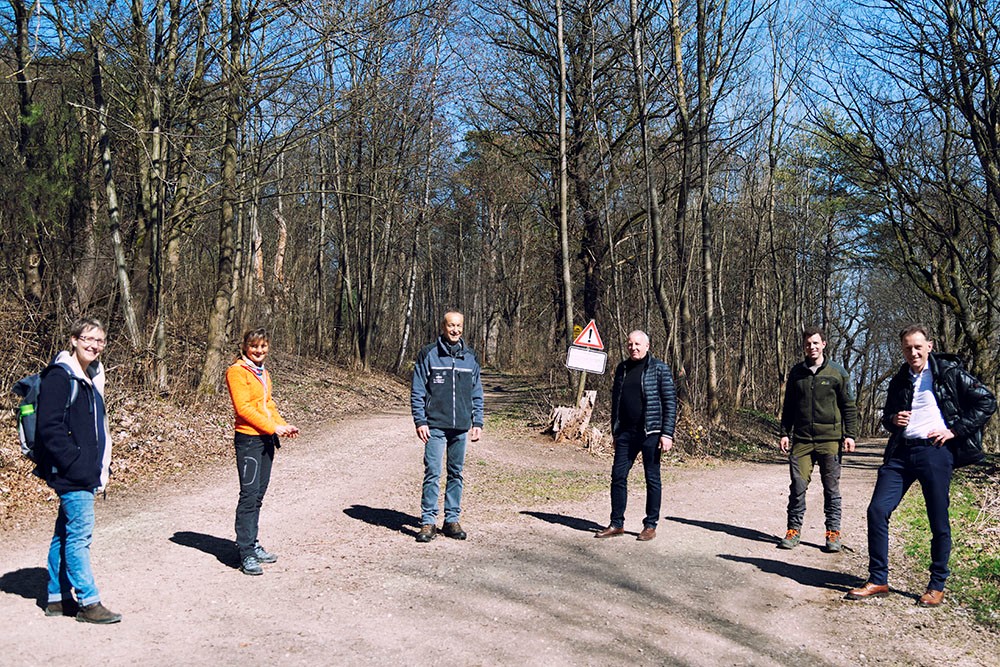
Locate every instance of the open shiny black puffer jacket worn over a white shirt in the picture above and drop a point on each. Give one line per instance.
(965, 403)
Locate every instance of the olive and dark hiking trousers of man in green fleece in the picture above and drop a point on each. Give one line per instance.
(803, 458)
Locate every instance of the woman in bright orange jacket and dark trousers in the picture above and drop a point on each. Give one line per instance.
(258, 425)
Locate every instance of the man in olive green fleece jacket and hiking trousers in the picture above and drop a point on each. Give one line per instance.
(819, 415)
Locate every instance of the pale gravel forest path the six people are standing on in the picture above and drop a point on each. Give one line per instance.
(530, 587)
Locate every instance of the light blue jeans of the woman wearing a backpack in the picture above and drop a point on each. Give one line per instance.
(69, 551)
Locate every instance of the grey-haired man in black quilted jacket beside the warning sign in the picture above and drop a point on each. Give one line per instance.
(643, 414)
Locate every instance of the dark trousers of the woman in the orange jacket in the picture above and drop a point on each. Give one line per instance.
(254, 456)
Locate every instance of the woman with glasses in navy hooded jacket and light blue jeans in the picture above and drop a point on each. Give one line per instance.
(74, 455)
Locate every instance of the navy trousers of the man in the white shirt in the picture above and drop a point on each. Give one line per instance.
(932, 467)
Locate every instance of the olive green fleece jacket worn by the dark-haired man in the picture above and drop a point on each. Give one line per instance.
(819, 407)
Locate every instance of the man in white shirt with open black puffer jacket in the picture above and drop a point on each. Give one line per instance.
(935, 411)
